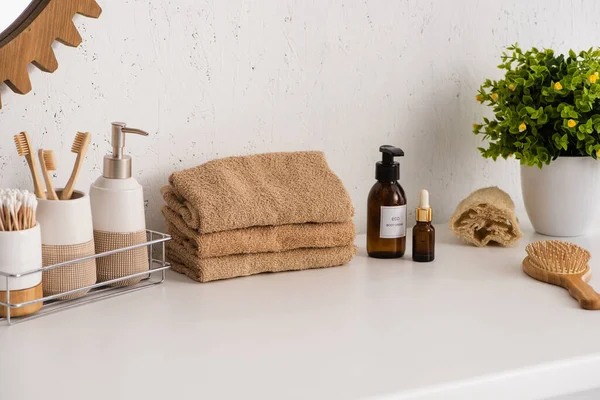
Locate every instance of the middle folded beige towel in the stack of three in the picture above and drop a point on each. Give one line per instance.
(260, 239)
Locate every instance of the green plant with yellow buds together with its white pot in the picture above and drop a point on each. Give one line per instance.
(547, 116)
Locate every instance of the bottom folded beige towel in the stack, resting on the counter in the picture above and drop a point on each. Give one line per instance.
(210, 269)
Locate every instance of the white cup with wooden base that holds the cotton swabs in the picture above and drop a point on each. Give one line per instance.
(21, 252)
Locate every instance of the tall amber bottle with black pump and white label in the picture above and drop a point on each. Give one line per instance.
(386, 208)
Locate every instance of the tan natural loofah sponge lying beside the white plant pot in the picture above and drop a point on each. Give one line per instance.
(487, 215)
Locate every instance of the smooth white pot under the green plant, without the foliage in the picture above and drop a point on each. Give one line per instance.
(562, 198)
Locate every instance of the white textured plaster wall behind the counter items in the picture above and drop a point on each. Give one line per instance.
(214, 78)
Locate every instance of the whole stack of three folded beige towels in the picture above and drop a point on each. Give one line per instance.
(270, 212)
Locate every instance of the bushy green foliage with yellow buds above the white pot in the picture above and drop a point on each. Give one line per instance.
(531, 121)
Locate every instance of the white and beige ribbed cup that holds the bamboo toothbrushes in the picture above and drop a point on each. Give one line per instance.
(67, 234)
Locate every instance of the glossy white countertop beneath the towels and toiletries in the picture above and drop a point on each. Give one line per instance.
(470, 325)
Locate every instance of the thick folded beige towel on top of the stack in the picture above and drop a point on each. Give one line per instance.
(258, 190)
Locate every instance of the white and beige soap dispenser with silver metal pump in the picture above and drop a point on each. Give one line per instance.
(118, 216)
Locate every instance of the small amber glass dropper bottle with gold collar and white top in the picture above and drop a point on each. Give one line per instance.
(424, 232)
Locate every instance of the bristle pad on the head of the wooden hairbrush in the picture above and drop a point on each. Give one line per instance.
(558, 257)
